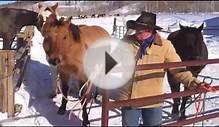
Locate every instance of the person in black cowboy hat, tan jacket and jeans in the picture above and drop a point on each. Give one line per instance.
(149, 47)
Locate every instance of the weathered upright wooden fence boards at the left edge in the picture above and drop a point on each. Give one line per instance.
(7, 63)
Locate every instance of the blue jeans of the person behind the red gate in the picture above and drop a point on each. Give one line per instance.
(150, 116)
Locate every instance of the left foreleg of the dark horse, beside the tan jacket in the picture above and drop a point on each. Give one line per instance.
(175, 87)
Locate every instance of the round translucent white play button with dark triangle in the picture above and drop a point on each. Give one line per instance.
(109, 63)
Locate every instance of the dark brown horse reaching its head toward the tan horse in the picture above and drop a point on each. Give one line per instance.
(12, 20)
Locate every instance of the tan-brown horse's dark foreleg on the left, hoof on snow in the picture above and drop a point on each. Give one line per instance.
(65, 88)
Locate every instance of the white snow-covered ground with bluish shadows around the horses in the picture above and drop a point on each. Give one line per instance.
(39, 110)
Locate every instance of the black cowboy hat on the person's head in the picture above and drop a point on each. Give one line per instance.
(146, 20)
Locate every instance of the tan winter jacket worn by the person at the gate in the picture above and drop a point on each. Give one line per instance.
(160, 51)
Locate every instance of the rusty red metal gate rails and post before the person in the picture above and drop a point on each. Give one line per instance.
(107, 105)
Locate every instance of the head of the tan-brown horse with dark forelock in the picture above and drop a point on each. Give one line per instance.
(59, 36)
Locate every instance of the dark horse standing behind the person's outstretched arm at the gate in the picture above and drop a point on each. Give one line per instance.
(189, 44)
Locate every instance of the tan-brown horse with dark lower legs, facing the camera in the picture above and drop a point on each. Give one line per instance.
(65, 45)
